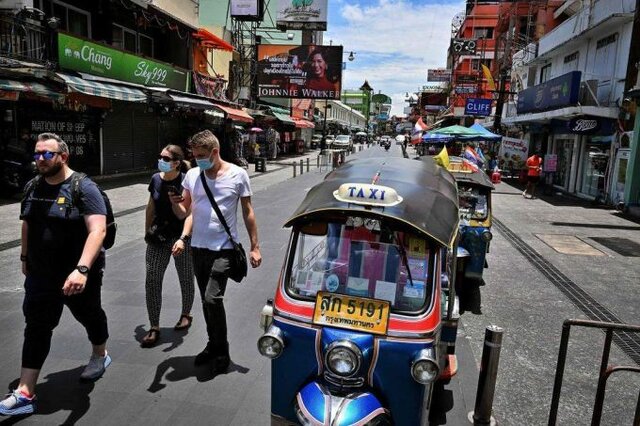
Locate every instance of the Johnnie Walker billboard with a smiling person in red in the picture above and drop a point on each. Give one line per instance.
(308, 72)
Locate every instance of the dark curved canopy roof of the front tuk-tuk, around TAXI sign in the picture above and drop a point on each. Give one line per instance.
(429, 198)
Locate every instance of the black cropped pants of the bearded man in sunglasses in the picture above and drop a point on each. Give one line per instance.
(42, 308)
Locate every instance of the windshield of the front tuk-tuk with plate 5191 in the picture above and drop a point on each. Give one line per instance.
(362, 258)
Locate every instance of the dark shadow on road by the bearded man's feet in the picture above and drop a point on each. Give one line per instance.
(60, 391)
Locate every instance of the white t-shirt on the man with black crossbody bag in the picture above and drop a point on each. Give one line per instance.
(227, 189)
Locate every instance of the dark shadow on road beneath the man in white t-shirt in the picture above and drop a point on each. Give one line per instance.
(181, 368)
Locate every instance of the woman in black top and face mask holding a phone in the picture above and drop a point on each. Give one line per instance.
(167, 235)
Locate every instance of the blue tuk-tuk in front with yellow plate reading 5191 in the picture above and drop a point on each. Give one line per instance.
(354, 330)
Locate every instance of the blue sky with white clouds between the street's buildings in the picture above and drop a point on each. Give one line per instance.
(395, 42)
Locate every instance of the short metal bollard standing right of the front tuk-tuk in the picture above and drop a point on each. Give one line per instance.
(487, 376)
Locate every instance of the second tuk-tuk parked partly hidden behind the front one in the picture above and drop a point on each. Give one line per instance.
(474, 192)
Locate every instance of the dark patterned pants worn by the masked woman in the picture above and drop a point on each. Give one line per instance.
(157, 260)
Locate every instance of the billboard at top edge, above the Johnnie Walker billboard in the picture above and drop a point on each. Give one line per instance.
(302, 15)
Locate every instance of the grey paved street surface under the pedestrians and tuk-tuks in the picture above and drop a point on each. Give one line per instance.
(160, 386)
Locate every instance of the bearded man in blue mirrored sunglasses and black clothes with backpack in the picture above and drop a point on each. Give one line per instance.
(63, 264)
